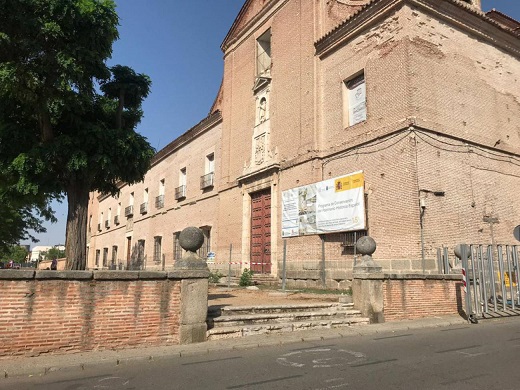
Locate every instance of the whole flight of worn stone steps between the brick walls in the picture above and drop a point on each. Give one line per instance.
(239, 321)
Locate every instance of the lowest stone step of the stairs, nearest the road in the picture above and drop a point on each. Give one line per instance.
(242, 331)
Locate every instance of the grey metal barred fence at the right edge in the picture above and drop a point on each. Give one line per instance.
(490, 279)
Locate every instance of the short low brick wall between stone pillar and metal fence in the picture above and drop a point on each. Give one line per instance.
(418, 296)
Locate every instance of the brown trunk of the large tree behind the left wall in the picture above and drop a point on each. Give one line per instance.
(76, 236)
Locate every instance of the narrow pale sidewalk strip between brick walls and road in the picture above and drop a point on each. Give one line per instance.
(42, 365)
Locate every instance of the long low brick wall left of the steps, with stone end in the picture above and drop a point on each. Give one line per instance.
(72, 311)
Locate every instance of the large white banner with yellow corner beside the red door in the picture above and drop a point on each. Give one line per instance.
(329, 206)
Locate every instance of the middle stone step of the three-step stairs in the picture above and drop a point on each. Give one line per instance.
(257, 319)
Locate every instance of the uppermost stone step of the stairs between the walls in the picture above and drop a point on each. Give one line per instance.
(285, 308)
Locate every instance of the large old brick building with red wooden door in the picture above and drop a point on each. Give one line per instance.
(422, 96)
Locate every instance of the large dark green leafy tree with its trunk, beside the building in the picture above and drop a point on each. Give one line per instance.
(75, 140)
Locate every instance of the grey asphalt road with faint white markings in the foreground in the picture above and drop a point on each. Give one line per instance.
(483, 356)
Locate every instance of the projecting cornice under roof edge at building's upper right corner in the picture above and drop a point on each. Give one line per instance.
(454, 12)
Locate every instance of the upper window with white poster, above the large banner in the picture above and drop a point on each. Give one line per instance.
(354, 91)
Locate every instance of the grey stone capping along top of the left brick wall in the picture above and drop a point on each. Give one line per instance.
(7, 274)
